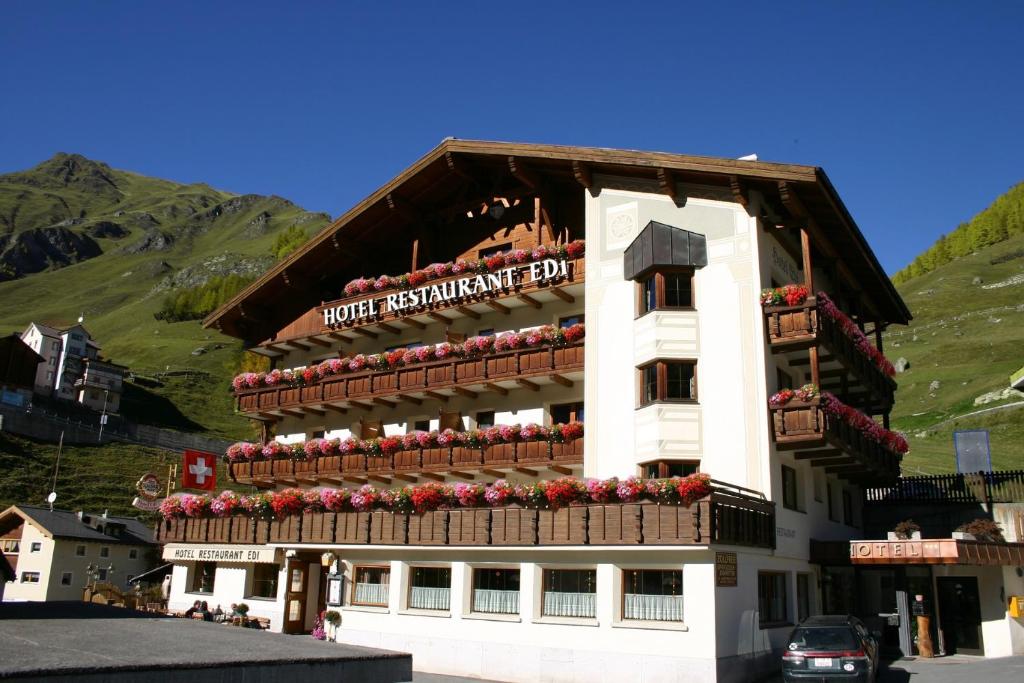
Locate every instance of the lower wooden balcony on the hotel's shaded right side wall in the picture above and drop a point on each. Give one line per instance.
(832, 444)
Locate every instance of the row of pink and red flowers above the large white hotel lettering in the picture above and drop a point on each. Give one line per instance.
(492, 264)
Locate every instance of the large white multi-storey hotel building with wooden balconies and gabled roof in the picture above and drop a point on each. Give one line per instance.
(673, 376)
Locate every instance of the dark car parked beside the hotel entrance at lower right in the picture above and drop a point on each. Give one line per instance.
(831, 648)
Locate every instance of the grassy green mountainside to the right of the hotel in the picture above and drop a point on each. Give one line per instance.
(966, 340)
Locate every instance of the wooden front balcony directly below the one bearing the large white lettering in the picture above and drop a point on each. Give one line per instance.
(526, 368)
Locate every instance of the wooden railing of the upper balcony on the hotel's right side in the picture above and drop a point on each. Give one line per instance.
(803, 326)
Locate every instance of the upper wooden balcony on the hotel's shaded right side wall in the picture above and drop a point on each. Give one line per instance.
(845, 369)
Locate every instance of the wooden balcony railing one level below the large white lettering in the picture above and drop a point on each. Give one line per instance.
(417, 379)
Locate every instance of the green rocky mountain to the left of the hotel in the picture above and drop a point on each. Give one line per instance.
(78, 238)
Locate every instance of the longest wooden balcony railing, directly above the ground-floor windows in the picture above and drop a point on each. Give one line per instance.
(721, 519)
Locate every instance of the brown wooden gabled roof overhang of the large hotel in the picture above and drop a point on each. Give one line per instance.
(457, 169)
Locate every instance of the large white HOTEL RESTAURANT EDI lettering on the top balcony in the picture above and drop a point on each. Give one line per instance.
(406, 303)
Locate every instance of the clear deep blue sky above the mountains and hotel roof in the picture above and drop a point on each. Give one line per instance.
(913, 109)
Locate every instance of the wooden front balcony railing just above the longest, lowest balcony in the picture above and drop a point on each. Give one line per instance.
(405, 464)
